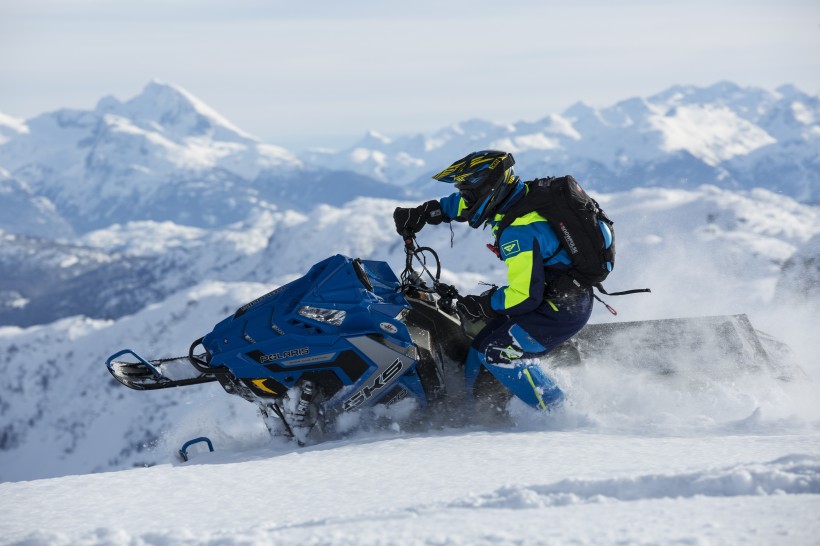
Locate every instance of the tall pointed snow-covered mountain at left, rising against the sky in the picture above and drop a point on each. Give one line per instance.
(164, 156)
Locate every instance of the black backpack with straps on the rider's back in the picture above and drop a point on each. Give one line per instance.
(582, 227)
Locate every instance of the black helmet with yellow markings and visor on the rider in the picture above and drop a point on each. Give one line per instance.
(484, 179)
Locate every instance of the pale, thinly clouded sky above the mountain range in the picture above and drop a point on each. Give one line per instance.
(323, 73)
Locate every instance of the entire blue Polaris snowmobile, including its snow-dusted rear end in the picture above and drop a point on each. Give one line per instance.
(351, 336)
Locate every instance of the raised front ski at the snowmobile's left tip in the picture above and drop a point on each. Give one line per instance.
(163, 373)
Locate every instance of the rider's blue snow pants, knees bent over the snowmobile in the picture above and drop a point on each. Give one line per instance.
(503, 346)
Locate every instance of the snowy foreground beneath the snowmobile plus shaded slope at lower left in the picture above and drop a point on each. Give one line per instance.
(633, 458)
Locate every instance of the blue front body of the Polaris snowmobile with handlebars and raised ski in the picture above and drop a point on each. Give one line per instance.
(349, 335)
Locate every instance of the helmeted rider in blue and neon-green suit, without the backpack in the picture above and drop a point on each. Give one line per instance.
(540, 307)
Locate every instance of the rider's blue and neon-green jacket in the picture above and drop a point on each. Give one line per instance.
(523, 247)
